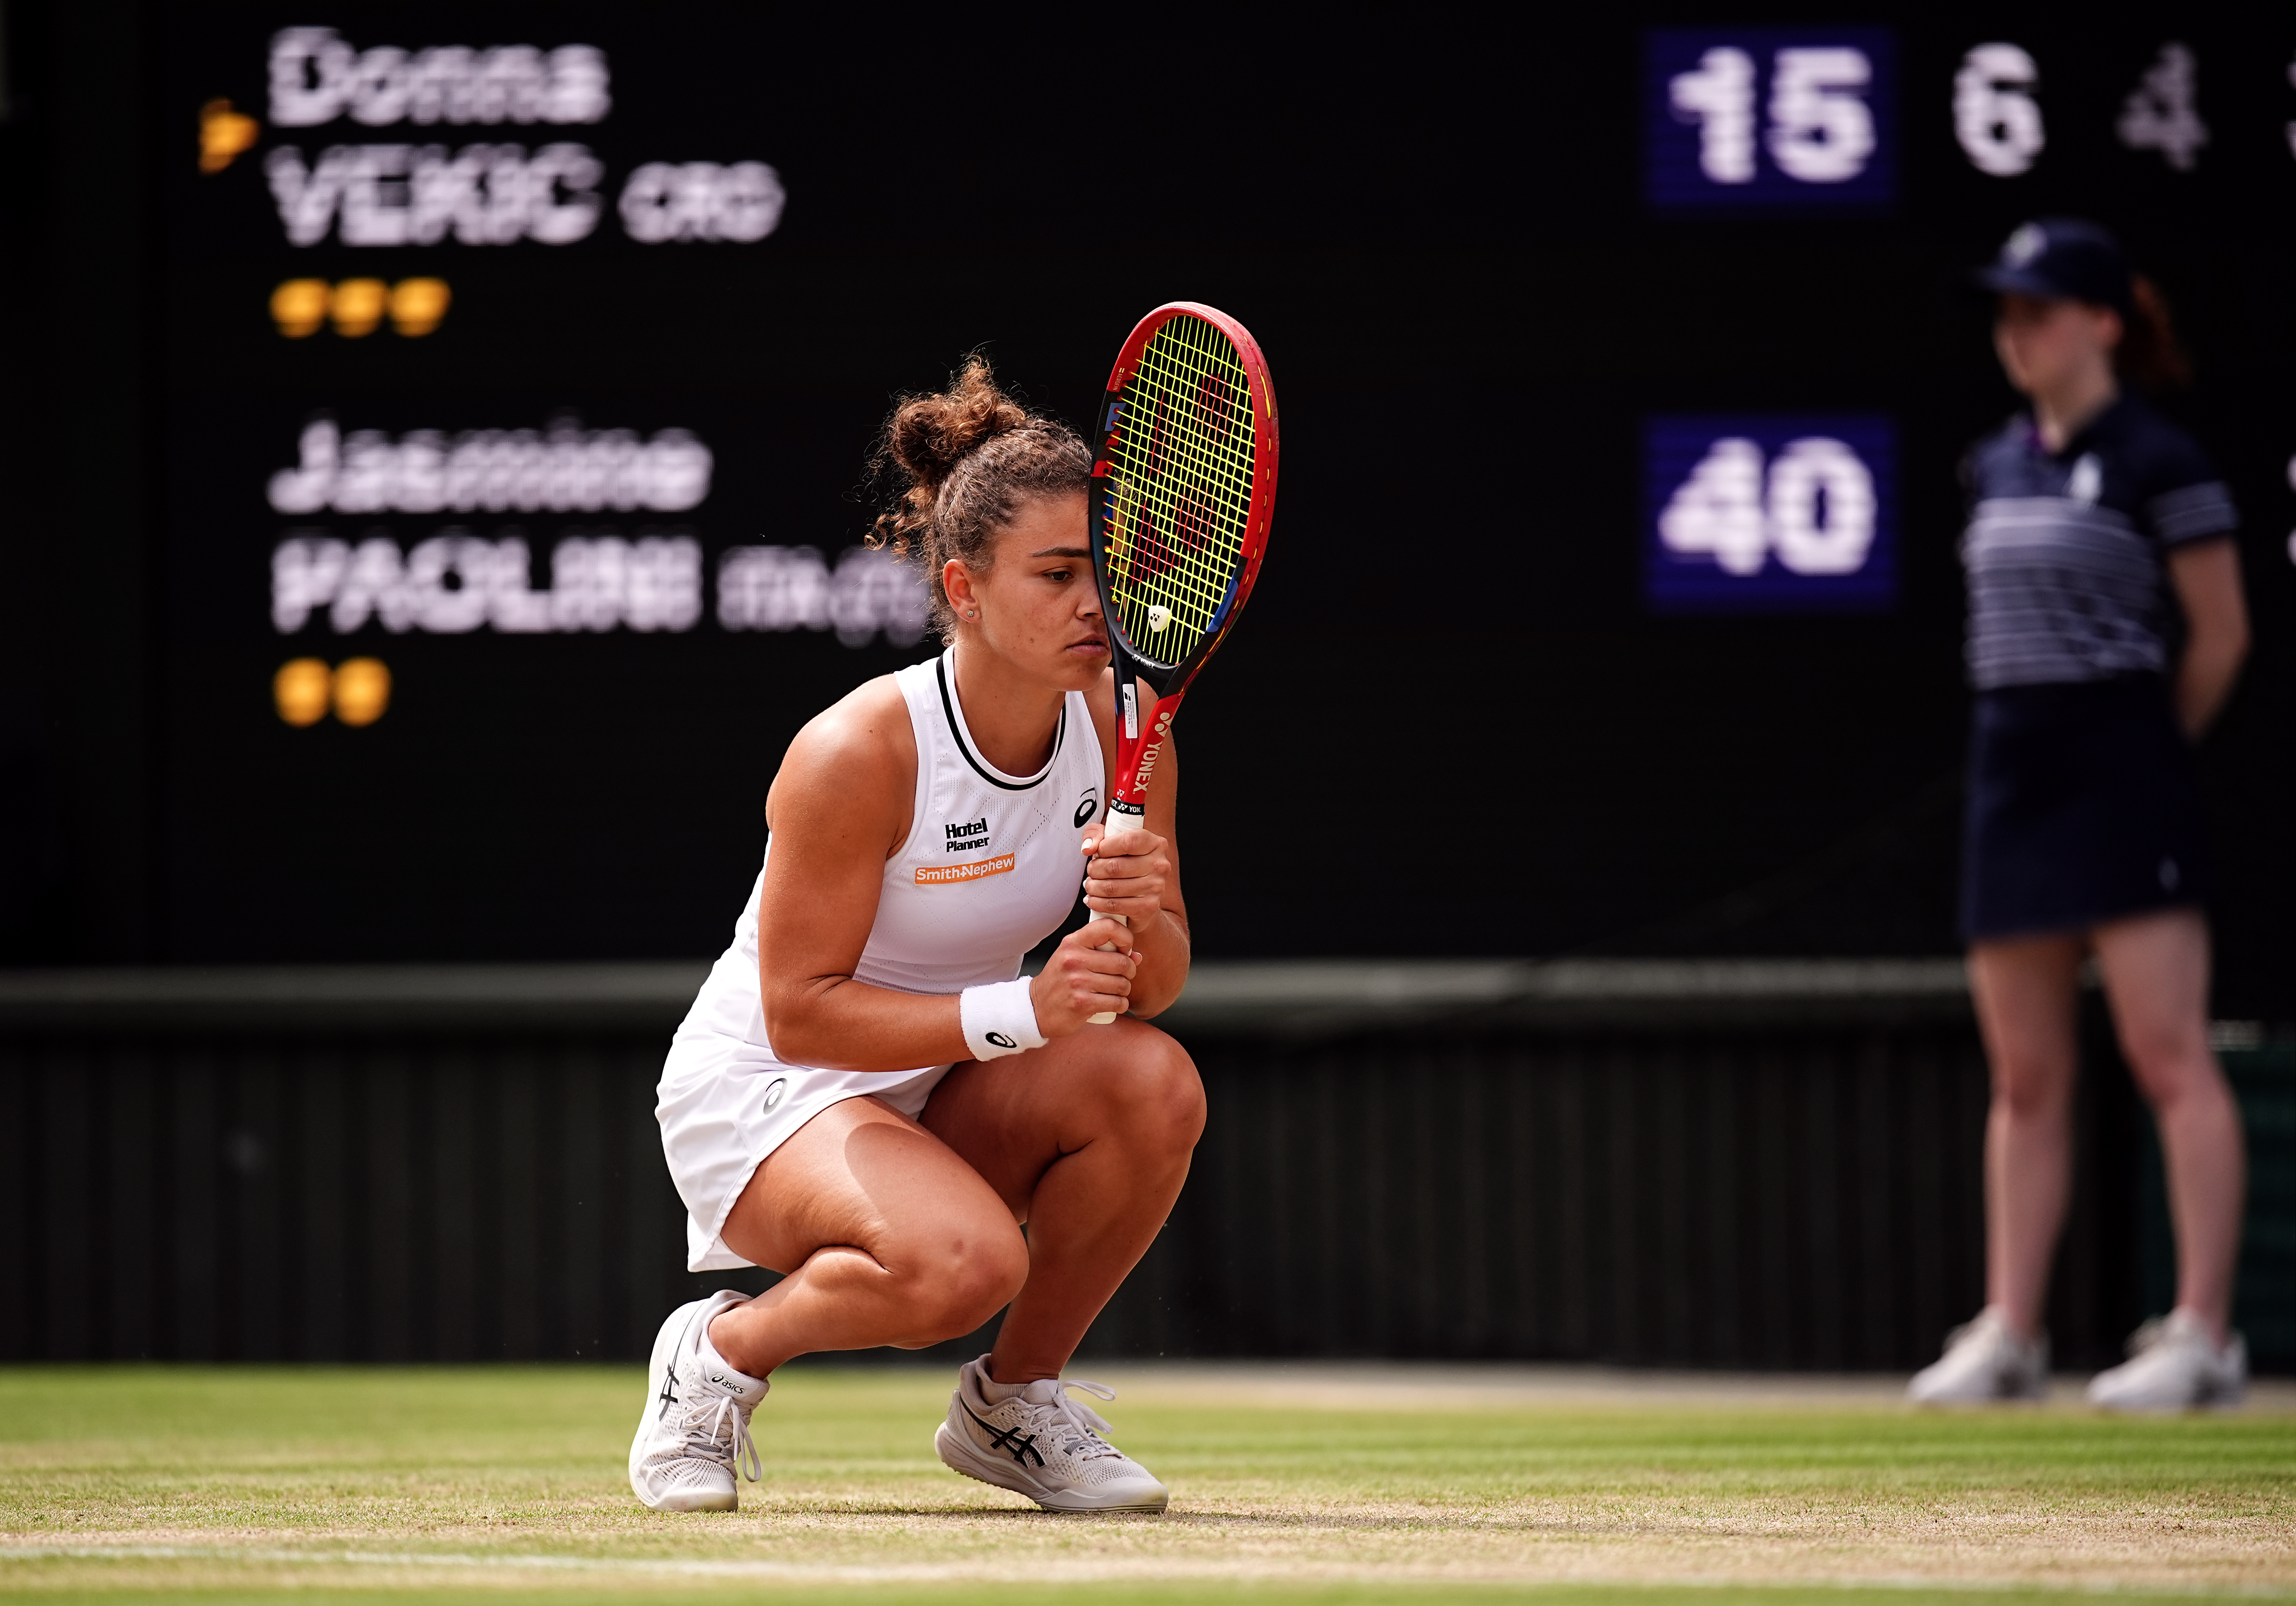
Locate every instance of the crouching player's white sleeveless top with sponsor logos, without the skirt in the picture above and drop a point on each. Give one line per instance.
(991, 867)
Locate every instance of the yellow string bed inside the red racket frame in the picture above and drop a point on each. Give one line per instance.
(1181, 488)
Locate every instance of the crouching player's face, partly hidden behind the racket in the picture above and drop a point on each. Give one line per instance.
(1039, 605)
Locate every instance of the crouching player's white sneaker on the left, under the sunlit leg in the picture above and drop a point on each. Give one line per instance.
(695, 1430)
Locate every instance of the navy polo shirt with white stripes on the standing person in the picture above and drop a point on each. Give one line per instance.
(2065, 550)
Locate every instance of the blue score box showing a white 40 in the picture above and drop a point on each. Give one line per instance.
(1769, 514)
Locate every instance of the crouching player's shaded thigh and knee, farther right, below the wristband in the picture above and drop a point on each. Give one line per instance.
(1122, 1083)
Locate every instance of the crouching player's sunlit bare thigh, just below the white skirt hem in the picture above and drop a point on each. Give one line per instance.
(862, 1175)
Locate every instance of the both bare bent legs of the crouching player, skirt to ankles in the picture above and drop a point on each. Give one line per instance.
(908, 1235)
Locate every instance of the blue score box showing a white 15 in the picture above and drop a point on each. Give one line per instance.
(1769, 118)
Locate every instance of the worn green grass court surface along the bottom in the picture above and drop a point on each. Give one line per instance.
(1388, 1483)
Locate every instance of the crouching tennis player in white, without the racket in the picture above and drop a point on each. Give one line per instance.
(867, 1097)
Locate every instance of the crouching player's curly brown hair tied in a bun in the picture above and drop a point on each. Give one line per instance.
(970, 458)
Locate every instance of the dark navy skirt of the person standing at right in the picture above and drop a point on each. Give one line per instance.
(2084, 808)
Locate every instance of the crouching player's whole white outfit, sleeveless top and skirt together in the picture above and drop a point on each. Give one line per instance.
(991, 870)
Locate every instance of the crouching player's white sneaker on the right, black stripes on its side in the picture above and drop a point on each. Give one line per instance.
(1046, 1446)
